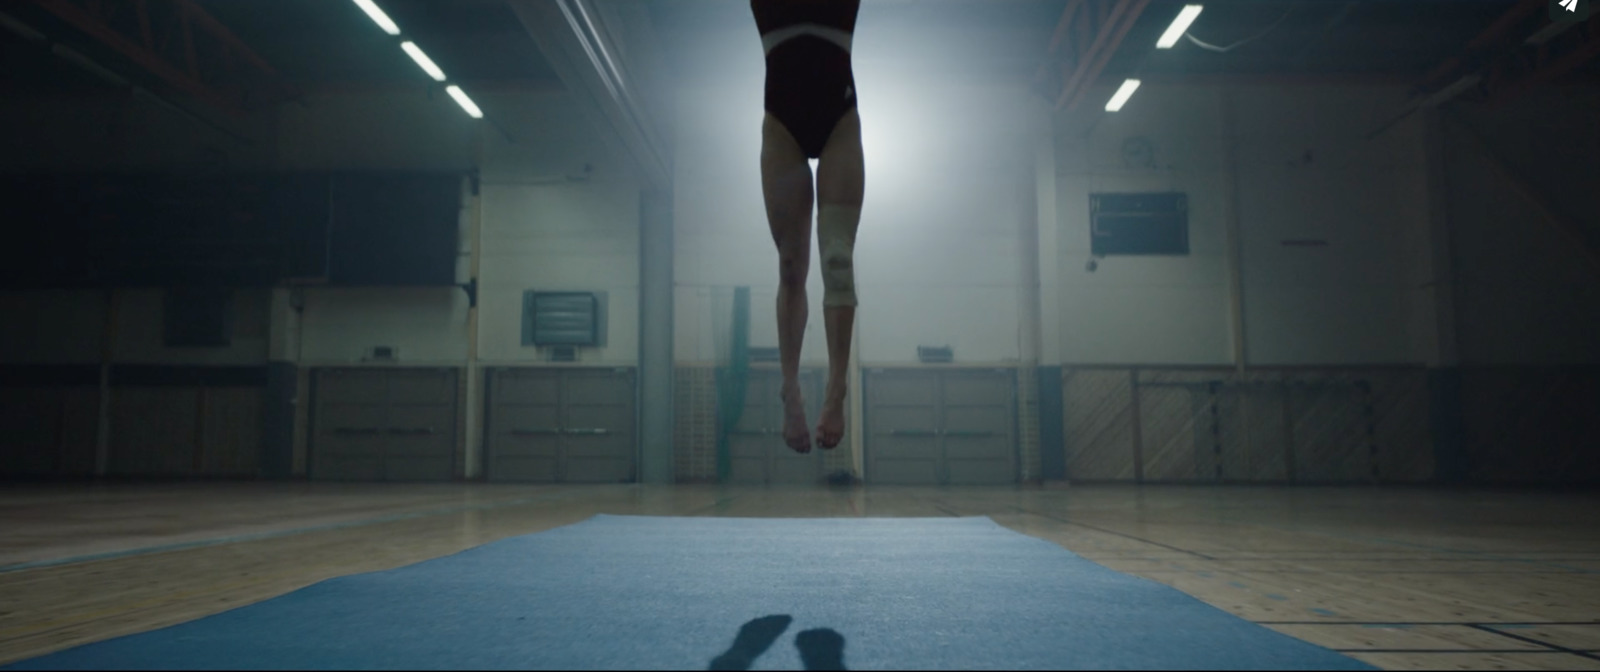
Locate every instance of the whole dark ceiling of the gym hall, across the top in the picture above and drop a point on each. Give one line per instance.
(332, 46)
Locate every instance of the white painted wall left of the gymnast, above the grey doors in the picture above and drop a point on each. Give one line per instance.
(542, 231)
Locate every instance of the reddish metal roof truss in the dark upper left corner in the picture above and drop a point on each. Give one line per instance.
(178, 42)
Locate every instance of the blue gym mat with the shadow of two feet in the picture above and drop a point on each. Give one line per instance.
(658, 593)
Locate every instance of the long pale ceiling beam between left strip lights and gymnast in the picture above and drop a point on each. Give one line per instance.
(582, 50)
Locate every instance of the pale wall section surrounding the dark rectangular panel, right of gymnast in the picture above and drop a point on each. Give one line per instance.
(1146, 310)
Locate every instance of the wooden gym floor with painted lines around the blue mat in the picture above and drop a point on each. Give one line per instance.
(1404, 578)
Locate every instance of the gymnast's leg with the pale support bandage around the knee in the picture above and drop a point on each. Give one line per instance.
(841, 178)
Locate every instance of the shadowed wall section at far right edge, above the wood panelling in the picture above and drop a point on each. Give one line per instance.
(1524, 290)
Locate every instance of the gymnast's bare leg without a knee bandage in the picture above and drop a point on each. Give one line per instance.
(786, 186)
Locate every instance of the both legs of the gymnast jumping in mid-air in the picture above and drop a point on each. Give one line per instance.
(788, 190)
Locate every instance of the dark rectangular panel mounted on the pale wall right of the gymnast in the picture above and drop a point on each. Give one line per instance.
(1140, 223)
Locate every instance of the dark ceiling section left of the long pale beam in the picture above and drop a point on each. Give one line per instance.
(311, 46)
